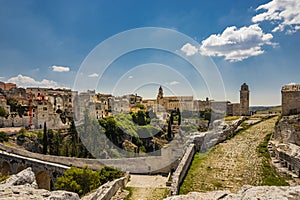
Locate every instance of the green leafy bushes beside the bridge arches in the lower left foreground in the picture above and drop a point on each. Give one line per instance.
(82, 181)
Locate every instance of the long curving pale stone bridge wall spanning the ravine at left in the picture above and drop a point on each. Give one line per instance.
(139, 165)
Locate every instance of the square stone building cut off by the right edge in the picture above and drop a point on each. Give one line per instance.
(290, 99)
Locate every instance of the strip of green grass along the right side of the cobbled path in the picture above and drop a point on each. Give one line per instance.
(269, 175)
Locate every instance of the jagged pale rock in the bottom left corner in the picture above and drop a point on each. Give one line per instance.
(23, 186)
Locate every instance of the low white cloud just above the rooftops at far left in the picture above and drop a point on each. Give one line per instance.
(26, 81)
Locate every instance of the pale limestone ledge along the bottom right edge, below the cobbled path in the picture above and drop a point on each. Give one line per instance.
(246, 193)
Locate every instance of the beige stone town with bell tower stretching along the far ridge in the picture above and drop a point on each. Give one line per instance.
(31, 107)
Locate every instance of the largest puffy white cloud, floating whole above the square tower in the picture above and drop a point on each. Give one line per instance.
(236, 44)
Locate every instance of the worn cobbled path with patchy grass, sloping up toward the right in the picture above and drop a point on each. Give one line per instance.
(231, 164)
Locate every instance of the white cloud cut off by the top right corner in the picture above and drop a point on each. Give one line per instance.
(284, 13)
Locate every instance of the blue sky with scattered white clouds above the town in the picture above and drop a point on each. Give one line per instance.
(46, 43)
